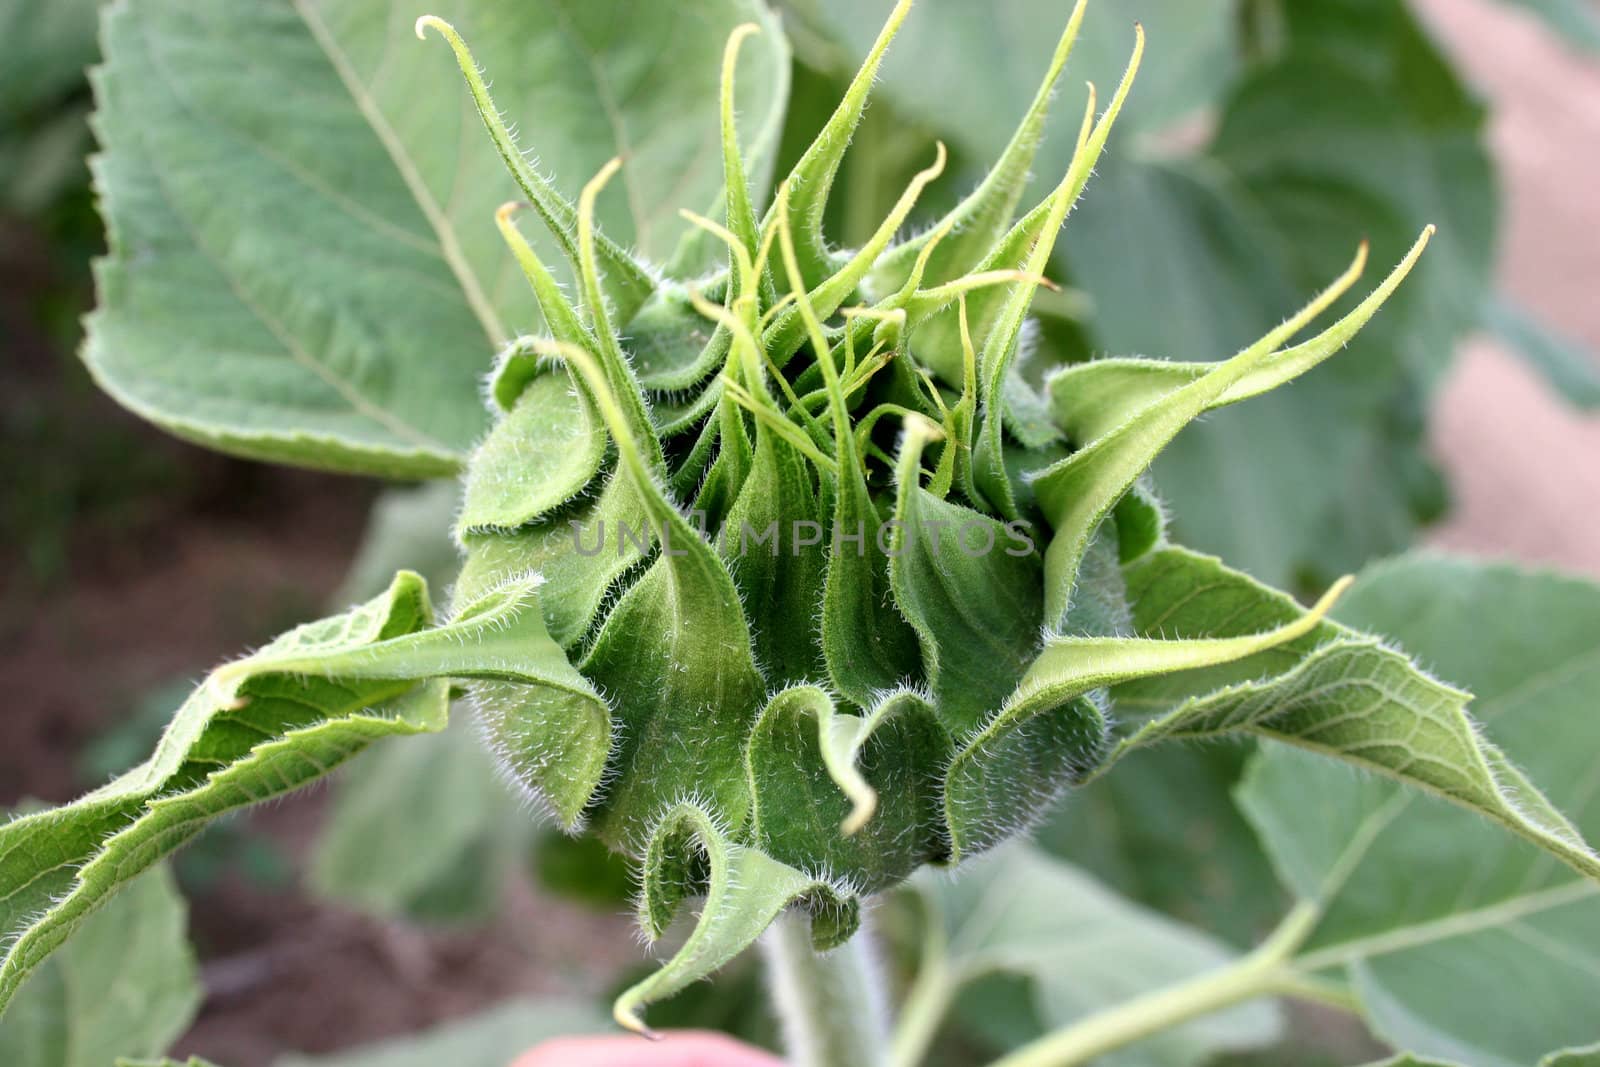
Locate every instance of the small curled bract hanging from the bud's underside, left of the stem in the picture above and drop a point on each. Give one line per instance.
(692, 855)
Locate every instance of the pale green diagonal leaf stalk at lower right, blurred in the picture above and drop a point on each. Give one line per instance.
(1265, 972)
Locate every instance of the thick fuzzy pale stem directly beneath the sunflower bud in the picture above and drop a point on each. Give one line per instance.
(831, 1005)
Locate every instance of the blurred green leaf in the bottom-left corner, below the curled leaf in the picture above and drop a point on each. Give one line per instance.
(126, 985)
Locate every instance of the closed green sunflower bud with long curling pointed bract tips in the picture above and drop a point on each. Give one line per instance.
(810, 692)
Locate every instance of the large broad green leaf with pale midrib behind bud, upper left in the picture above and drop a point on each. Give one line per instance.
(305, 265)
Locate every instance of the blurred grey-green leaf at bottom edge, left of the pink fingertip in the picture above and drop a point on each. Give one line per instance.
(490, 1039)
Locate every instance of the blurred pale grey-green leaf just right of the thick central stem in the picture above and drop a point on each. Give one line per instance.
(1081, 949)
